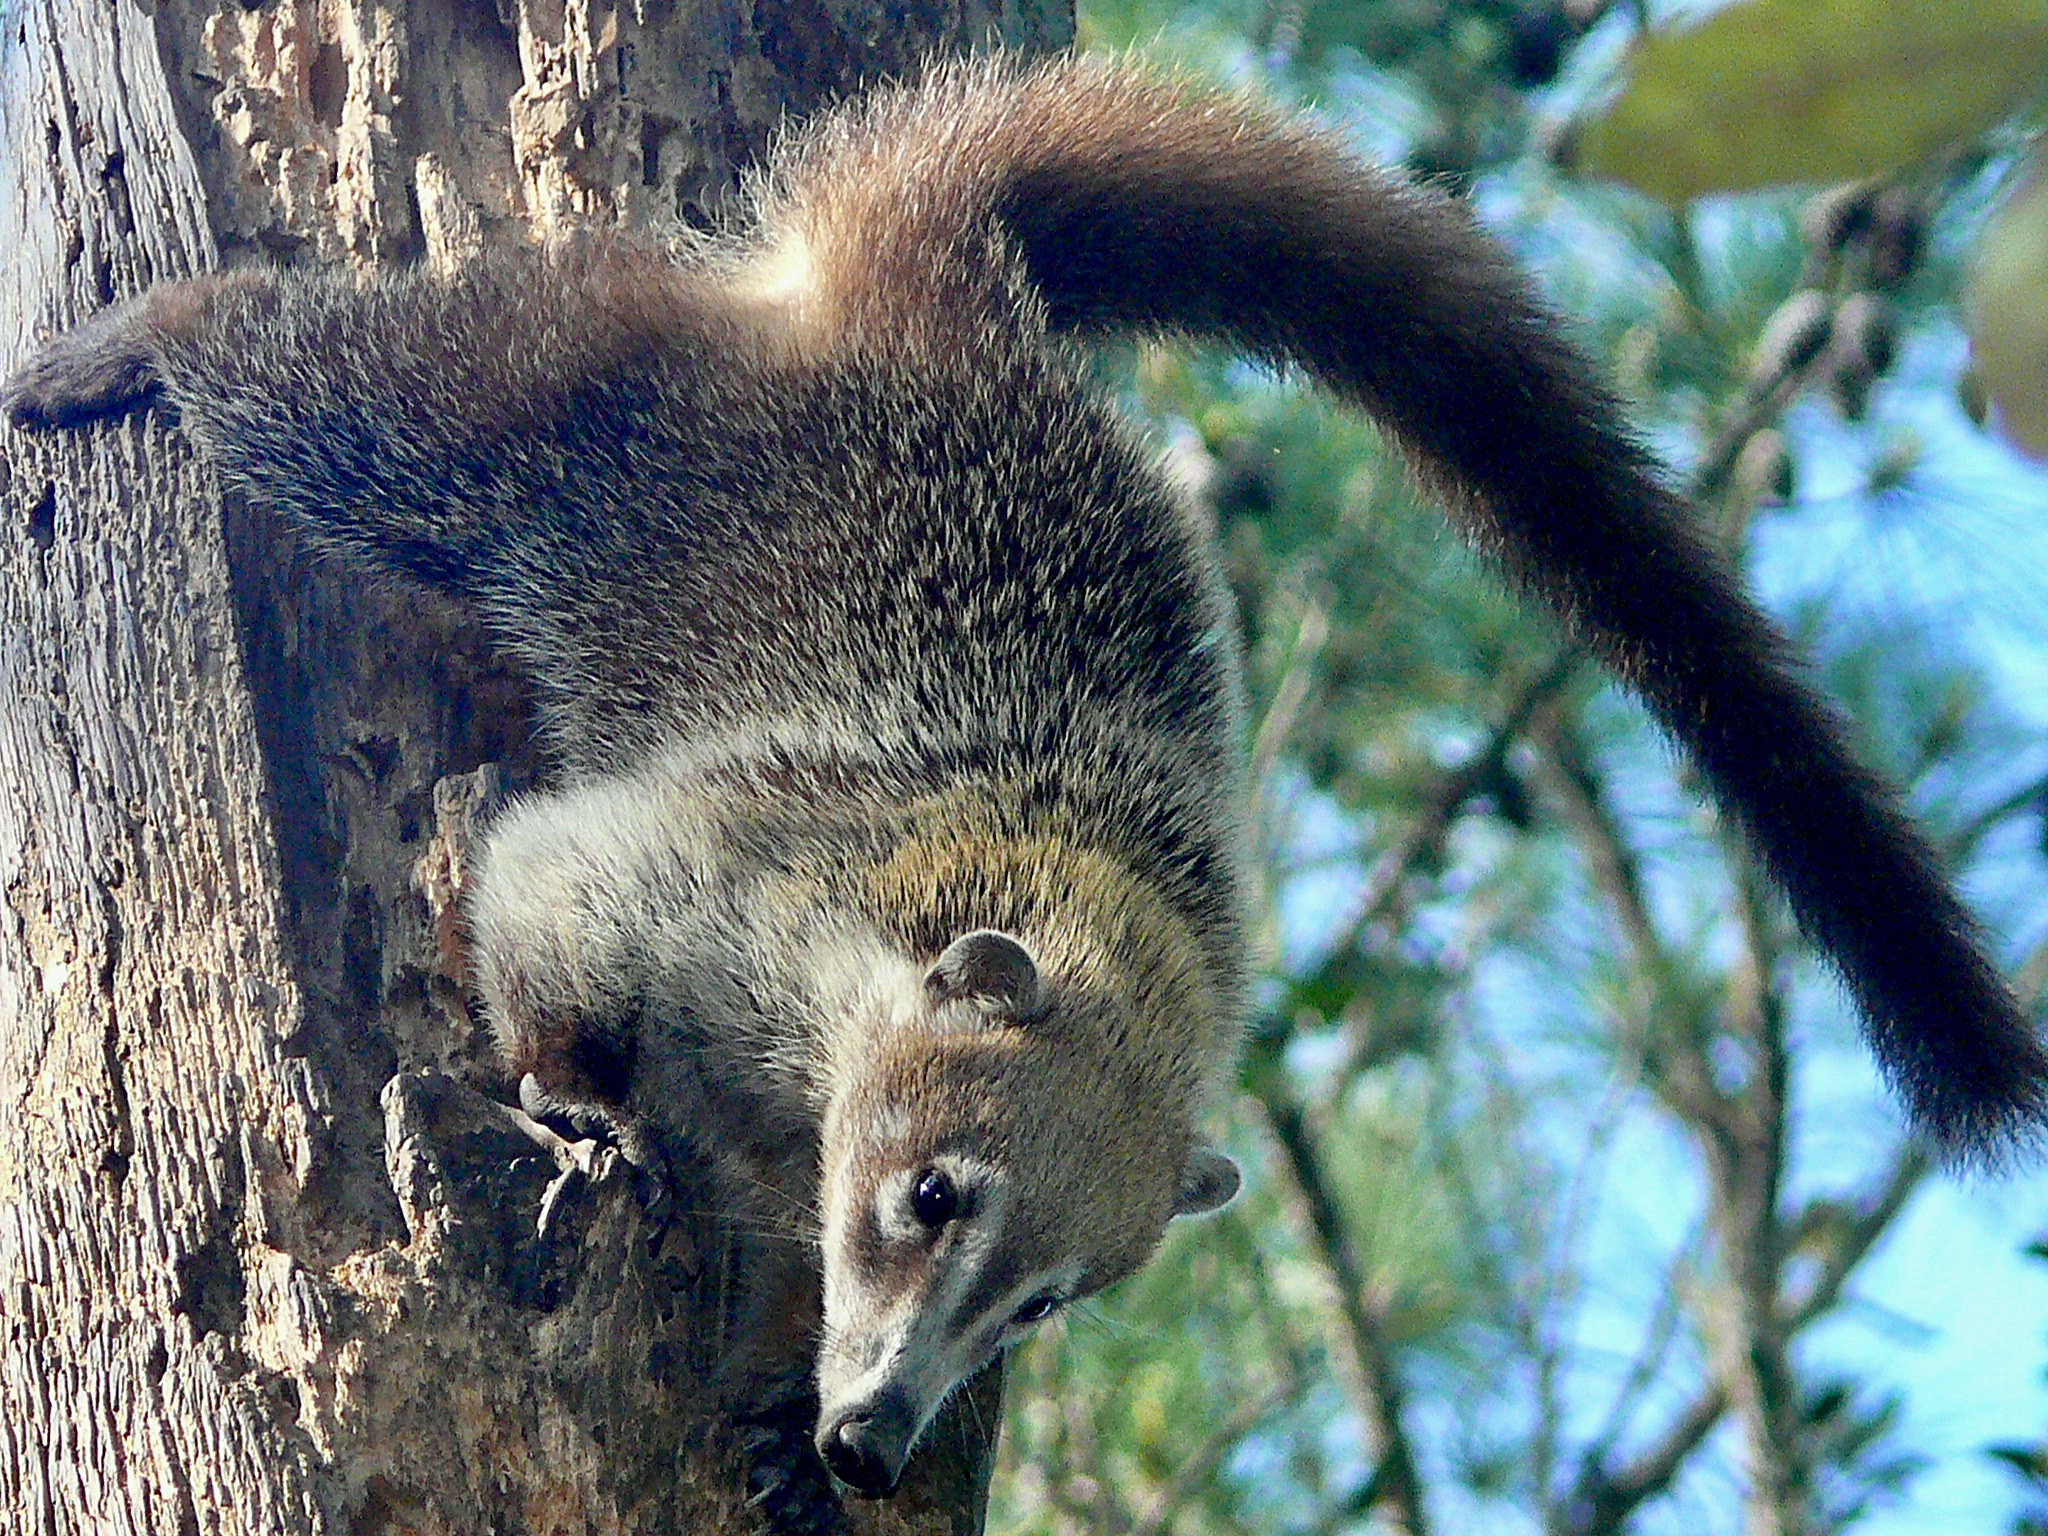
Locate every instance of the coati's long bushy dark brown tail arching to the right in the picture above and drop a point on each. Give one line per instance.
(1134, 204)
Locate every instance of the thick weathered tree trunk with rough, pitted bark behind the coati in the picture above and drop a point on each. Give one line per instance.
(267, 1254)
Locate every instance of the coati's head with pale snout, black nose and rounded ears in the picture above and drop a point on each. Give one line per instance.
(990, 1164)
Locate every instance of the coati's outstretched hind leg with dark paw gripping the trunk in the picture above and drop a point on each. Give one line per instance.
(415, 423)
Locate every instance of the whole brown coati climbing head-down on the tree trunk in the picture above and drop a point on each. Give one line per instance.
(896, 697)
